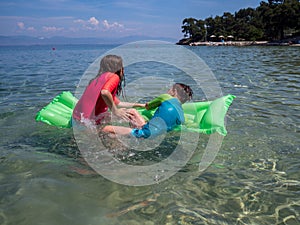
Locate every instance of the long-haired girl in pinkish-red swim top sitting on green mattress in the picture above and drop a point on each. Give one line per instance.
(100, 94)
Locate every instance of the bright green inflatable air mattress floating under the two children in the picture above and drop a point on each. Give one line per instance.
(203, 117)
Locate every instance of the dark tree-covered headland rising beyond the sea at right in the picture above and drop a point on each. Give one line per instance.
(274, 20)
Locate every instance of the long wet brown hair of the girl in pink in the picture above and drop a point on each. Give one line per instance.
(113, 64)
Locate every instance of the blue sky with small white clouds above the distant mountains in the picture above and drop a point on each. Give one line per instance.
(98, 18)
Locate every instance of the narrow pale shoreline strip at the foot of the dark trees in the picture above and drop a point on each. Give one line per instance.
(239, 43)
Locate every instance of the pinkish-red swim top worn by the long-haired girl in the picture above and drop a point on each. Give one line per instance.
(91, 104)
